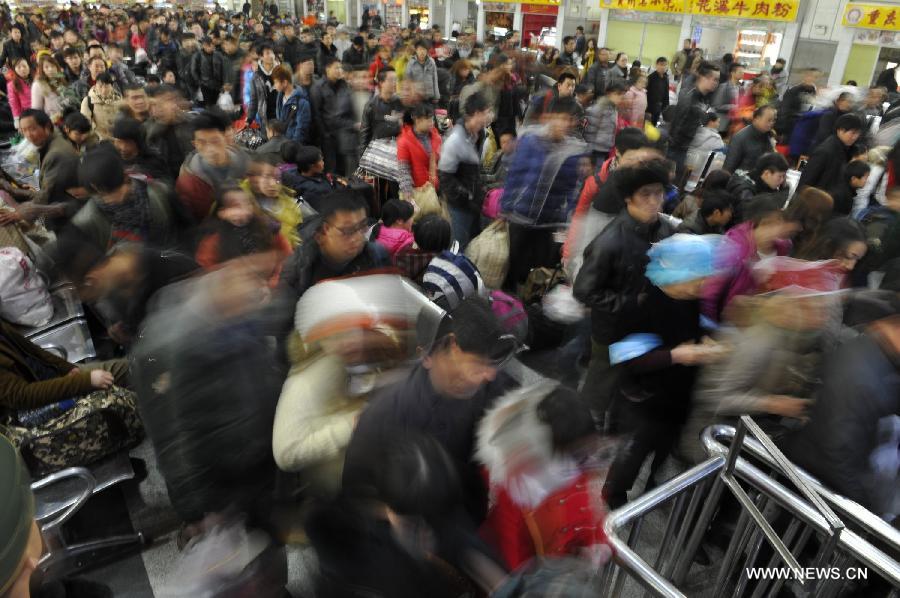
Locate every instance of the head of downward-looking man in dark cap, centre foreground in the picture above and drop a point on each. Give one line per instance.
(469, 347)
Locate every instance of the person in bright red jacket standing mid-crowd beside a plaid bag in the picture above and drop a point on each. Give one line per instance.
(418, 151)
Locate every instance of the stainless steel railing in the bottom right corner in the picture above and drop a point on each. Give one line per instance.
(807, 524)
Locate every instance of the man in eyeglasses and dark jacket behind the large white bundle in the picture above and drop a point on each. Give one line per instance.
(337, 247)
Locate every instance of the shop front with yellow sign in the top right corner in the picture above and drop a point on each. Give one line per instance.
(876, 40)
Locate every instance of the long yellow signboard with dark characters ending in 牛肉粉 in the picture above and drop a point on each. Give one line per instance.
(770, 10)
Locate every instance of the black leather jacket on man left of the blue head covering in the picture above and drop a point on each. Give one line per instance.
(612, 278)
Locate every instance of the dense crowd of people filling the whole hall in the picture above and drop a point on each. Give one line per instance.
(313, 257)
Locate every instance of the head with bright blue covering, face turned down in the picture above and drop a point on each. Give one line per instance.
(680, 264)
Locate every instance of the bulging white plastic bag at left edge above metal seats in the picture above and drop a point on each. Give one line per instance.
(24, 298)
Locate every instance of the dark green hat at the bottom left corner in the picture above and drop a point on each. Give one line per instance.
(16, 512)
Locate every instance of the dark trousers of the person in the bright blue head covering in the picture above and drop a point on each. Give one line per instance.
(649, 436)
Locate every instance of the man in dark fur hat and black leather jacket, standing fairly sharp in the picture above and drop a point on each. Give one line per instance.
(612, 280)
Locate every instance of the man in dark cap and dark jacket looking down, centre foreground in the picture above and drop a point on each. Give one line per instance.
(444, 396)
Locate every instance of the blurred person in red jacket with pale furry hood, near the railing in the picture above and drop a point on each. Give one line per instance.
(537, 445)
